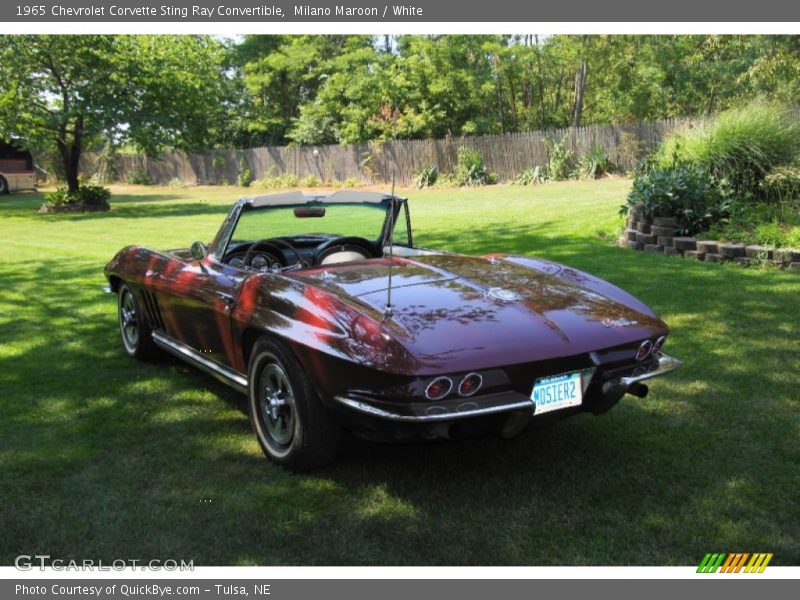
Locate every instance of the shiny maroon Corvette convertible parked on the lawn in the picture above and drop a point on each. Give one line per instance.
(323, 311)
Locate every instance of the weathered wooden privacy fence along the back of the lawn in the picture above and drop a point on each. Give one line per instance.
(506, 154)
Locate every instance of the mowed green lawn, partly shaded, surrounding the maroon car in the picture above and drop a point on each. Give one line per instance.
(105, 457)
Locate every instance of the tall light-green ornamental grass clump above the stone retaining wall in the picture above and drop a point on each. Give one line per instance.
(740, 146)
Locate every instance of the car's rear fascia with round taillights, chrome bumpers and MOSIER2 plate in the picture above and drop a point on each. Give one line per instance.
(502, 400)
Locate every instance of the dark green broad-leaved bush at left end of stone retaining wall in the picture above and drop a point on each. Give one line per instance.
(681, 190)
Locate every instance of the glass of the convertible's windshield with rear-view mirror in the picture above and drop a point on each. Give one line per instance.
(314, 218)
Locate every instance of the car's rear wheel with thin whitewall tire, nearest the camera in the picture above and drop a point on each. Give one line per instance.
(292, 427)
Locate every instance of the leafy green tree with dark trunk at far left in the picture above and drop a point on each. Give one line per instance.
(67, 92)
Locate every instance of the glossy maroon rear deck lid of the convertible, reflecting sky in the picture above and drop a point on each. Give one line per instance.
(463, 312)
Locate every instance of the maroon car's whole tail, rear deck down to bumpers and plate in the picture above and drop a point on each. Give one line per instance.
(471, 346)
